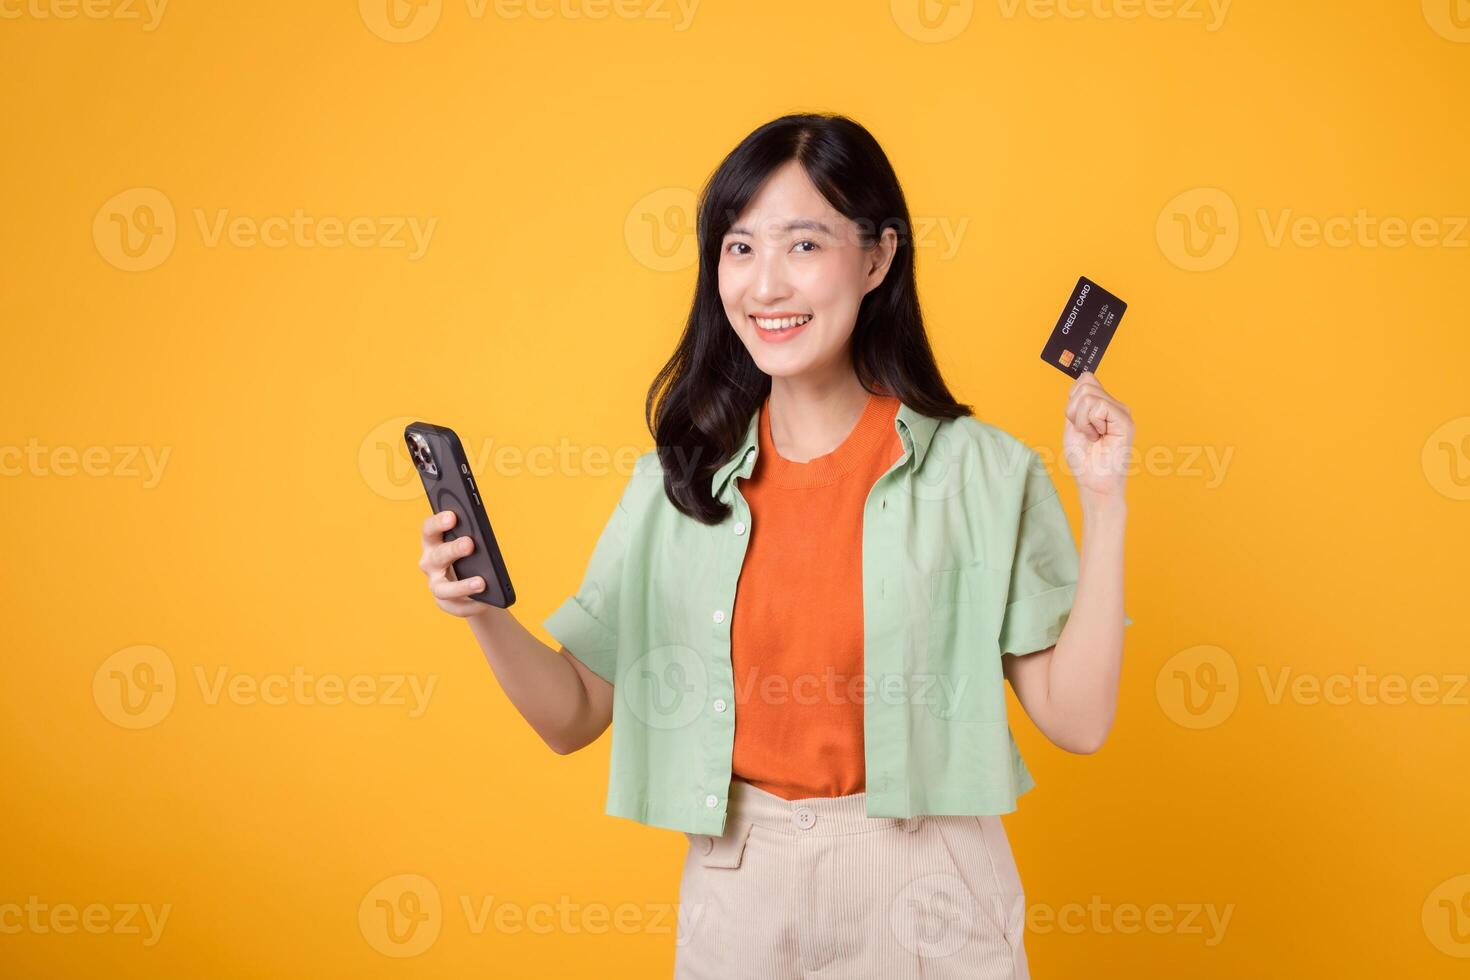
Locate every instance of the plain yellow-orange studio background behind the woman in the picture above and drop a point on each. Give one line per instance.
(245, 243)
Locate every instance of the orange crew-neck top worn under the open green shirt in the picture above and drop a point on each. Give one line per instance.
(797, 628)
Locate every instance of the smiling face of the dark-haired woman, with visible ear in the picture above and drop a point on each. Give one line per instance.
(793, 273)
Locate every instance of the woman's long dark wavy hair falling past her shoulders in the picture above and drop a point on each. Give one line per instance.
(702, 400)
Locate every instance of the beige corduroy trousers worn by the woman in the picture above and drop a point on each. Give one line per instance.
(815, 890)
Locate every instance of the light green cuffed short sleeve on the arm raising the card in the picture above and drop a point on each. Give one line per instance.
(1044, 571)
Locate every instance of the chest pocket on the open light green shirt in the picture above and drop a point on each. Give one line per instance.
(962, 669)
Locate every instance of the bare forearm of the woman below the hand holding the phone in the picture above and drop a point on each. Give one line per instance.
(545, 687)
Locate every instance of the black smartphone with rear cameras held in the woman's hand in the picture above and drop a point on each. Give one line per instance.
(445, 469)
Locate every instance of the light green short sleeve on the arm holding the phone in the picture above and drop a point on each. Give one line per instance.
(587, 622)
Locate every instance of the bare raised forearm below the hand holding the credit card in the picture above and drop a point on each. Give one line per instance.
(1084, 672)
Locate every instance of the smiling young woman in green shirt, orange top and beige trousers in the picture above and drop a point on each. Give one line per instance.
(800, 616)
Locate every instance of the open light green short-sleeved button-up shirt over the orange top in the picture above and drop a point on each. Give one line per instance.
(967, 555)
